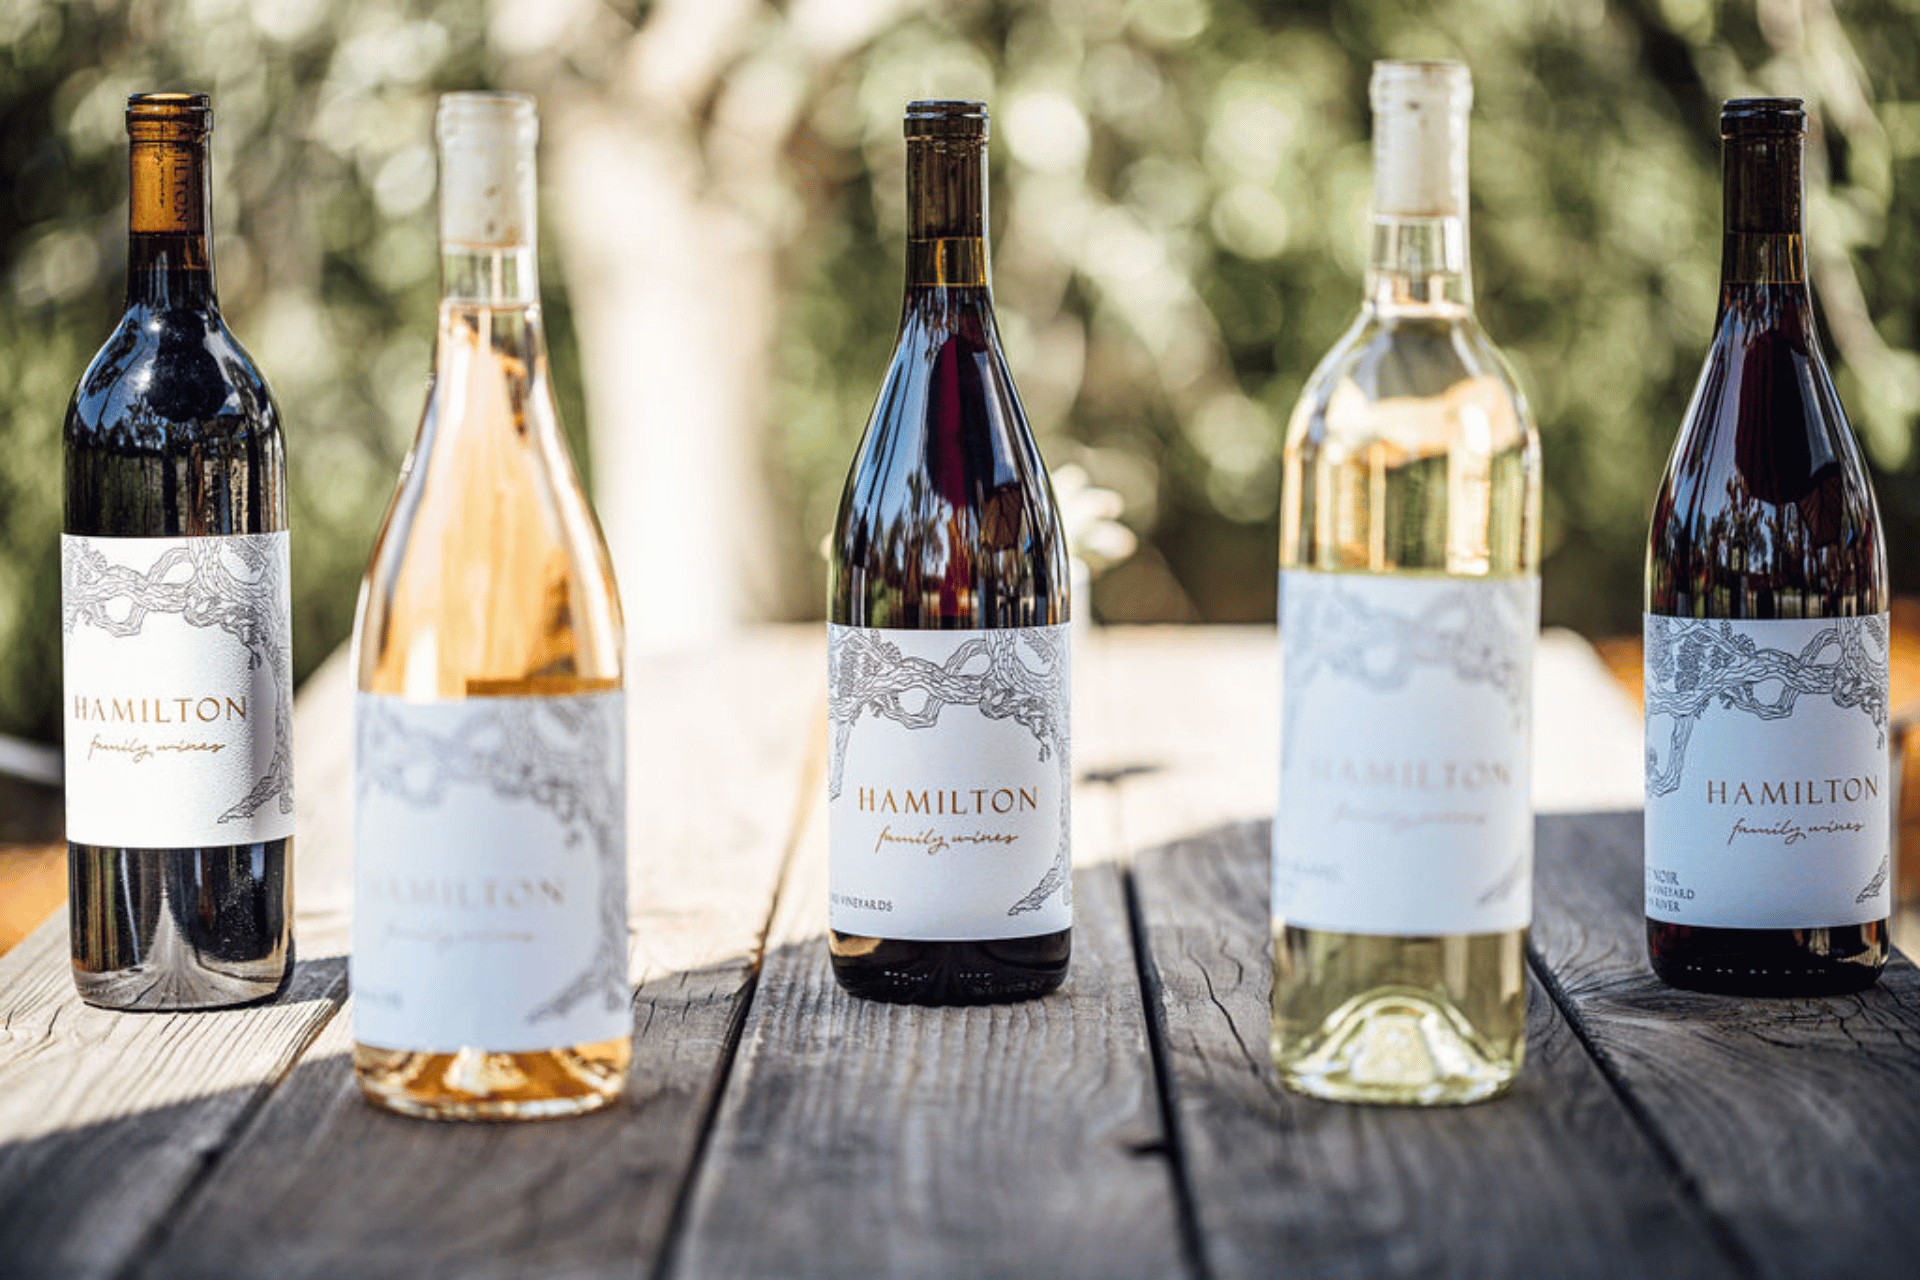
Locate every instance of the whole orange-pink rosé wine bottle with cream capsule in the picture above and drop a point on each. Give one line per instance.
(491, 943)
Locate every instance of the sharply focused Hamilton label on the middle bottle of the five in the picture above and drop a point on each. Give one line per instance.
(949, 784)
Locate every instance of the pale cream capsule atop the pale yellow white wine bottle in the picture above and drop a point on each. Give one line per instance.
(1420, 137)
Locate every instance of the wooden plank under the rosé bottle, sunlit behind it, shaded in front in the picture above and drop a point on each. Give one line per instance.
(324, 1185)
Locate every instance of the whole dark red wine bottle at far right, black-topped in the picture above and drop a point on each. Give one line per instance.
(1767, 824)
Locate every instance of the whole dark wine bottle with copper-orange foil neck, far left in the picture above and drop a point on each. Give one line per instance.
(176, 623)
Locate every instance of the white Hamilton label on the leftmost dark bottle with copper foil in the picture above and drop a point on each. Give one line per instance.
(178, 675)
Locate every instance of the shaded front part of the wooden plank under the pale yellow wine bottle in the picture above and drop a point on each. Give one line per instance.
(1550, 1181)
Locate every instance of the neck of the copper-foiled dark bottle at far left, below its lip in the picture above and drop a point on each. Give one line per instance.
(170, 262)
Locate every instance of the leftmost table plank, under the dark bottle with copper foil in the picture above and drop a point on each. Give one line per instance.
(108, 1120)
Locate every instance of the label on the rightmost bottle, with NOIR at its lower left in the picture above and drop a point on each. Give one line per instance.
(1769, 780)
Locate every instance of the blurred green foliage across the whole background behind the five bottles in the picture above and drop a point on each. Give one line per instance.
(1180, 218)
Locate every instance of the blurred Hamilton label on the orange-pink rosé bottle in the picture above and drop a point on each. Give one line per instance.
(491, 874)
